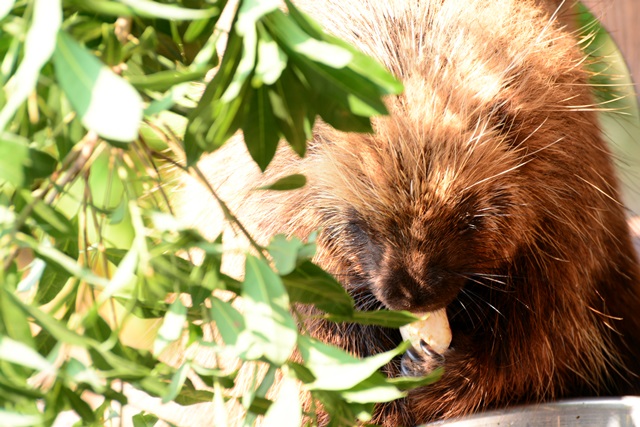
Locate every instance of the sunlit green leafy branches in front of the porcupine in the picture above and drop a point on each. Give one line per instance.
(99, 95)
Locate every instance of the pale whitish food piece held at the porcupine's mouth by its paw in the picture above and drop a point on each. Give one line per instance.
(434, 329)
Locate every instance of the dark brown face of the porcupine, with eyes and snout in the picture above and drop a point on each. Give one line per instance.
(420, 260)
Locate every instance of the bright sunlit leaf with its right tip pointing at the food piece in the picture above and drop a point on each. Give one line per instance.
(335, 369)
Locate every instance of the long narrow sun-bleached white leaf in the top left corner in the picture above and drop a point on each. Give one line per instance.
(39, 45)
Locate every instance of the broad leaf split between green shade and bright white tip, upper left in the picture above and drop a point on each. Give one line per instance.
(105, 102)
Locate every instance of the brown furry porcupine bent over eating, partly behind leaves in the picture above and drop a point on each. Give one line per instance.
(487, 190)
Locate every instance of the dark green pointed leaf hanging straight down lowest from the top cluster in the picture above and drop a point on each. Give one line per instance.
(260, 129)
